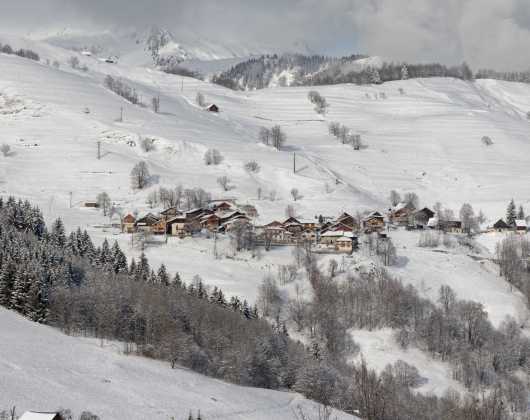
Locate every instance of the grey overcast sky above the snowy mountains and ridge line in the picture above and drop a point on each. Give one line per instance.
(486, 33)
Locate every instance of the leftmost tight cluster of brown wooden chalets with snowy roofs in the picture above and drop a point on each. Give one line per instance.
(217, 216)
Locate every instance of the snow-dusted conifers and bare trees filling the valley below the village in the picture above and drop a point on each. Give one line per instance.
(65, 281)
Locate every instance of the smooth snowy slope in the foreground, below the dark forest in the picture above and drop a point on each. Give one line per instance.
(42, 369)
